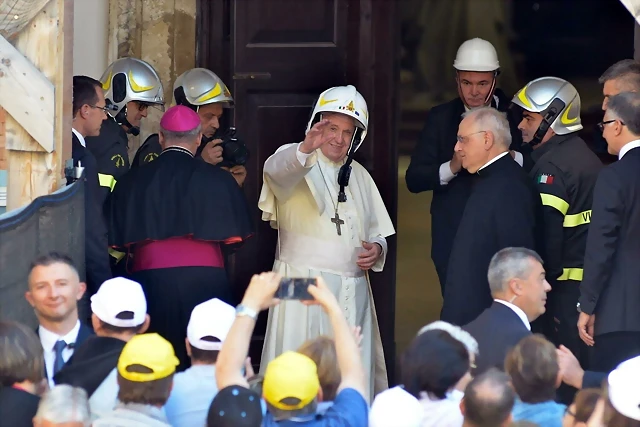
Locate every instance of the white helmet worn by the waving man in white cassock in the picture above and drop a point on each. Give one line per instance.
(344, 100)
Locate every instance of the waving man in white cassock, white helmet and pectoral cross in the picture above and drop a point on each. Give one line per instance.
(320, 233)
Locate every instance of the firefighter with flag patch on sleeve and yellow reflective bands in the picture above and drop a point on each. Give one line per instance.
(565, 170)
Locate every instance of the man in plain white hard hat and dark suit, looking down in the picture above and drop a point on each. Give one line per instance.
(434, 165)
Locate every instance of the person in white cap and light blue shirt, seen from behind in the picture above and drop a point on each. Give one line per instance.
(194, 389)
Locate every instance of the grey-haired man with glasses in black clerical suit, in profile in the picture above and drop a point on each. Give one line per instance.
(504, 209)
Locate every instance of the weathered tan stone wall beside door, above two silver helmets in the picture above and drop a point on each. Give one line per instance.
(161, 32)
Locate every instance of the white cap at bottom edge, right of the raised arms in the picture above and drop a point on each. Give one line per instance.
(395, 408)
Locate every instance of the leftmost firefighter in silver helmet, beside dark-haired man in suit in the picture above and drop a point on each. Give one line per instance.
(130, 86)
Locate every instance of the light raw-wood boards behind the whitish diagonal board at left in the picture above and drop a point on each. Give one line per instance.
(48, 44)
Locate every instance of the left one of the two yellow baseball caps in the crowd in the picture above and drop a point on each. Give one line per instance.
(151, 351)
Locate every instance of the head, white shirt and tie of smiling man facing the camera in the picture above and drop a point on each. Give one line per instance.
(54, 292)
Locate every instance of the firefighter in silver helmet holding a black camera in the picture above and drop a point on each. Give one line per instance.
(206, 94)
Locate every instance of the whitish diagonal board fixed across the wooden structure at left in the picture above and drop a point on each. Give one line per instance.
(26, 94)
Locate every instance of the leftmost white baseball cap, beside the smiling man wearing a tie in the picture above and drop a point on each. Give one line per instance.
(118, 295)
